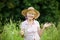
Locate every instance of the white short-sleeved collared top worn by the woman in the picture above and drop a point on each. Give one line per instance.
(30, 31)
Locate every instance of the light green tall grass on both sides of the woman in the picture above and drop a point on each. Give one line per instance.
(11, 32)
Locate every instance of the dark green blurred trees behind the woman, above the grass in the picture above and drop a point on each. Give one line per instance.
(11, 9)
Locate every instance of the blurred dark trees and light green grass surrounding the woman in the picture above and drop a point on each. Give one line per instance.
(10, 18)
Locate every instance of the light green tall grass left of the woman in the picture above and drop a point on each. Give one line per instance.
(11, 32)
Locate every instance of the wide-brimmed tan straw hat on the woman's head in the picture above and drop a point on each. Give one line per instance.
(37, 14)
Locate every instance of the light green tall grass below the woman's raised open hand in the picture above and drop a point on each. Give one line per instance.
(50, 33)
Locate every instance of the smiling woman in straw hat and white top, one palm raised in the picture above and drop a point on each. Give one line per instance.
(30, 28)
